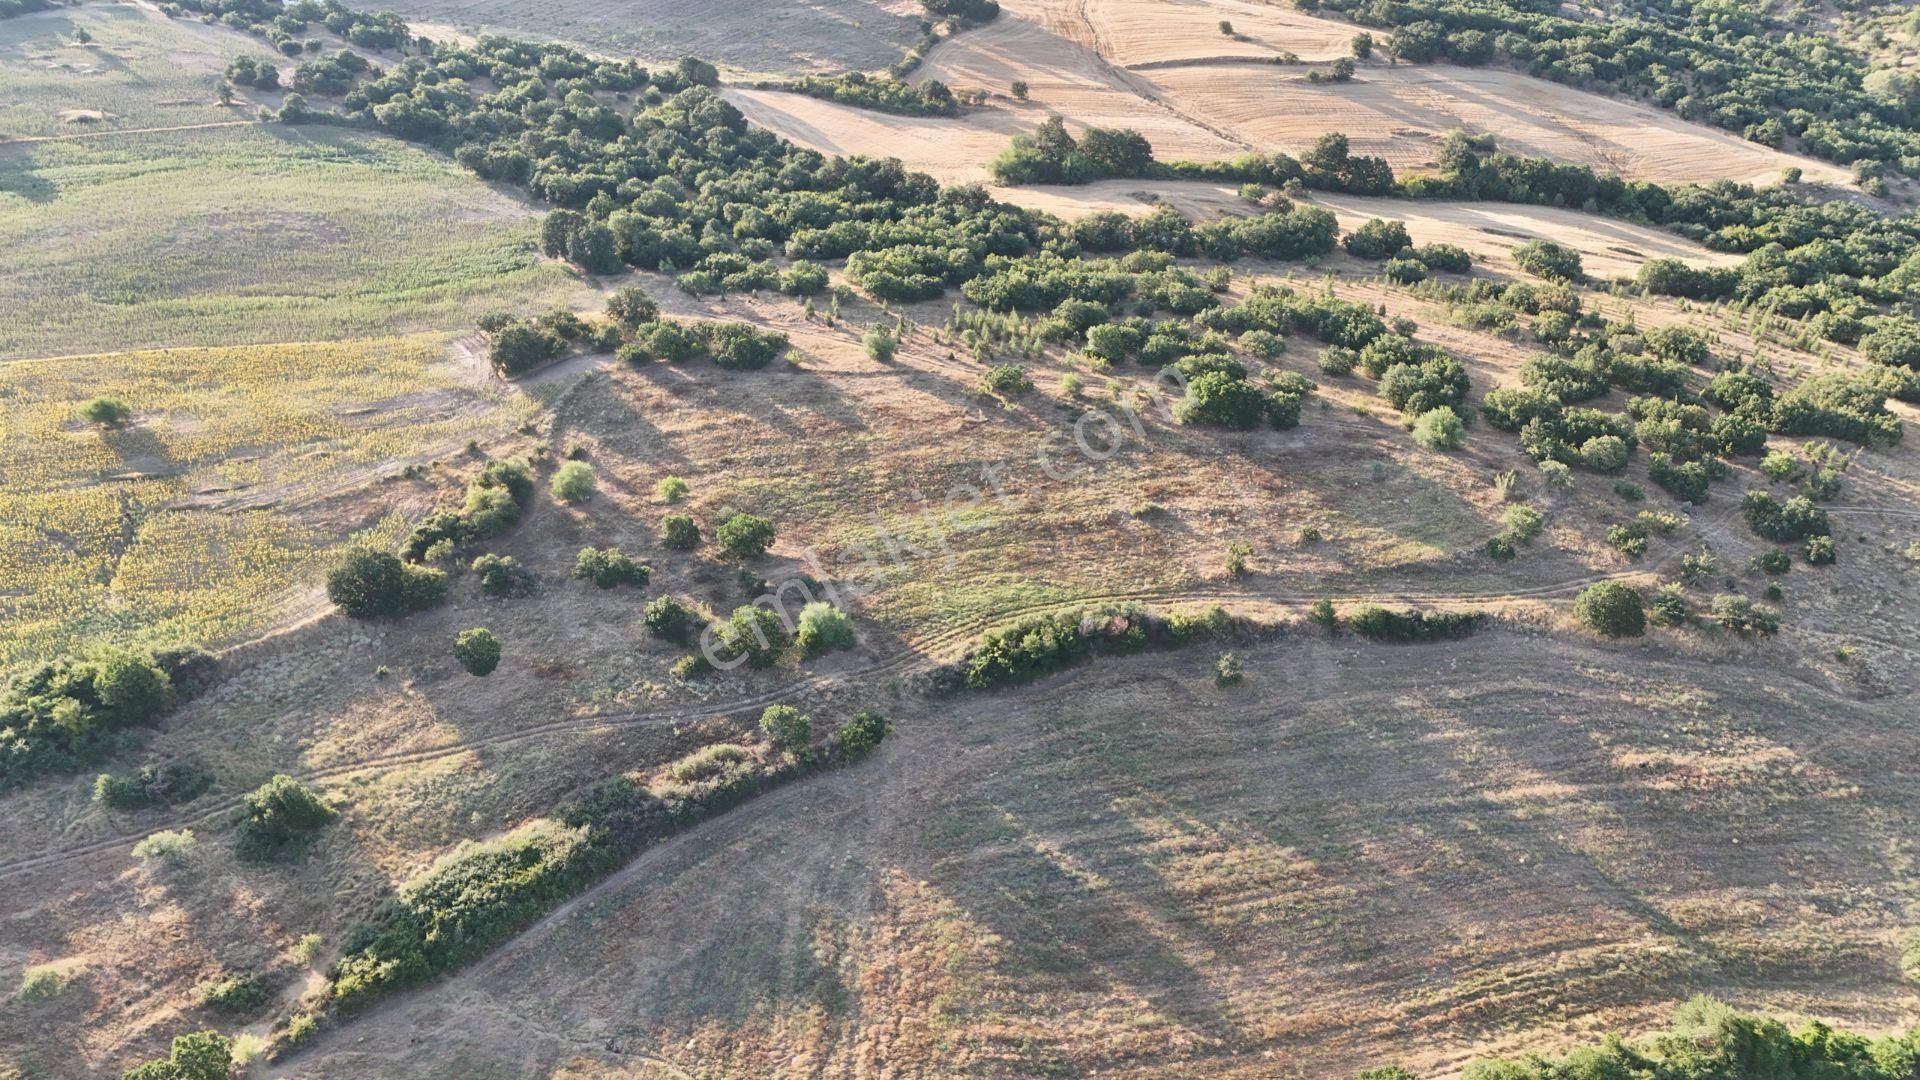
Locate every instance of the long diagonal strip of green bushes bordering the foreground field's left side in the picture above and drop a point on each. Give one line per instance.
(483, 895)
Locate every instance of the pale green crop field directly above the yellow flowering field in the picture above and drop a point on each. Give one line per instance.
(252, 235)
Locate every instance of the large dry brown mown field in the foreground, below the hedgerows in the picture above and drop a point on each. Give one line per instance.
(1126, 871)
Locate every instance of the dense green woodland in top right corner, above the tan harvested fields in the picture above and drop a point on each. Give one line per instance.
(1731, 66)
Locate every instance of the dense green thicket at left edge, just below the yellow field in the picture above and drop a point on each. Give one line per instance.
(66, 712)
